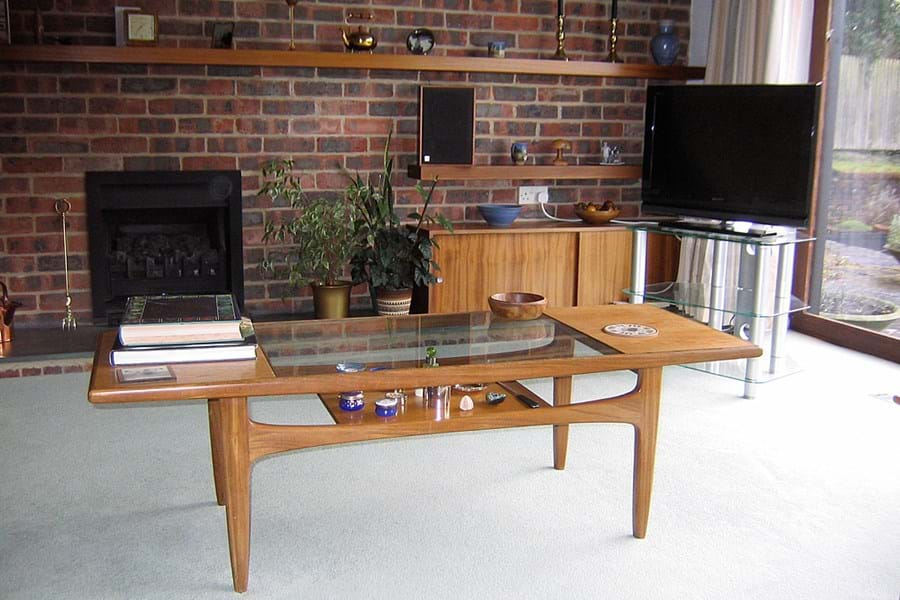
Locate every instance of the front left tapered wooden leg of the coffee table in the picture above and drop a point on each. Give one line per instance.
(234, 433)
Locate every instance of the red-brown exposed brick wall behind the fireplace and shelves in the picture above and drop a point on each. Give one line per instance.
(59, 120)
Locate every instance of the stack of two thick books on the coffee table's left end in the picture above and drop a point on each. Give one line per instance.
(182, 328)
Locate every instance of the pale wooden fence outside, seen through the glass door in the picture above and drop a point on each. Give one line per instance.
(868, 113)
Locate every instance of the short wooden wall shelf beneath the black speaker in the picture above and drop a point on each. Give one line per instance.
(461, 172)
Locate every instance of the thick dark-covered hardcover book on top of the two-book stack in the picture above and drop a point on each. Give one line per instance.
(180, 319)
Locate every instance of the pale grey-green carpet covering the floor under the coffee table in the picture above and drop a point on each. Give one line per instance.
(793, 494)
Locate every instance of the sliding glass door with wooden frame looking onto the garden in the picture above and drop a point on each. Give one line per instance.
(854, 272)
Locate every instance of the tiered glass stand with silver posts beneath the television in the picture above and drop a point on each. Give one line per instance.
(755, 307)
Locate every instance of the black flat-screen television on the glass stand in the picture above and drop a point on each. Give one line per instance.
(730, 152)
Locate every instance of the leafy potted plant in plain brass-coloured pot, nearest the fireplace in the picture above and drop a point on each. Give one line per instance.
(318, 240)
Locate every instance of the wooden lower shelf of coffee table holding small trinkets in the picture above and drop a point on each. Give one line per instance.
(414, 410)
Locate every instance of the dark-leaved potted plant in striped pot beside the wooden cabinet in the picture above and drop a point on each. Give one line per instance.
(394, 256)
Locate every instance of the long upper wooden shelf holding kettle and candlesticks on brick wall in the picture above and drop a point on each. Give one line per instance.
(340, 60)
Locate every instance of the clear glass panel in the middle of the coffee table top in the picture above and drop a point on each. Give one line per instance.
(308, 347)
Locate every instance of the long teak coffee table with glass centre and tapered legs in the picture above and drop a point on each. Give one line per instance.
(300, 357)
